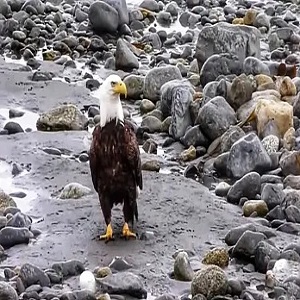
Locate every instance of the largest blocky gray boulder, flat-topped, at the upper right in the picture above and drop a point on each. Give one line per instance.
(239, 40)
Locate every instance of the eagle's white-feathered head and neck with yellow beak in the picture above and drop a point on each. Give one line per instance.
(110, 103)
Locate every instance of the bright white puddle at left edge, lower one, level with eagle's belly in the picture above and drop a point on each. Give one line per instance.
(8, 186)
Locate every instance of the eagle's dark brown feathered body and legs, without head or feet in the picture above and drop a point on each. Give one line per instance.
(116, 168)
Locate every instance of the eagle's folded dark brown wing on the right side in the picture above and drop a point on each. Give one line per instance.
(132, 153)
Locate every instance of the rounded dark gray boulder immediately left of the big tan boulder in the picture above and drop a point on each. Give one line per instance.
(215, 117)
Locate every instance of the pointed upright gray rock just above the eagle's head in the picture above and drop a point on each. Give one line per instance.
(124, 58)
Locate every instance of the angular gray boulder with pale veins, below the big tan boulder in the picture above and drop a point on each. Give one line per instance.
(247, 155)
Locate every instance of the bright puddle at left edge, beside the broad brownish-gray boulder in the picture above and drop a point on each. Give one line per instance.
(27, 121)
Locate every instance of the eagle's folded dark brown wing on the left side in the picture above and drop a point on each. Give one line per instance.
(94, 157)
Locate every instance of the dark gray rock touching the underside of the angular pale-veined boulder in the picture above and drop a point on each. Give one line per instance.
(248, 186)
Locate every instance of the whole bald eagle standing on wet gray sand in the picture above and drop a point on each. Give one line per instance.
(115, 162)
